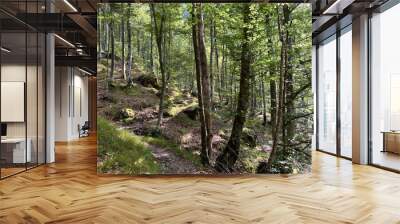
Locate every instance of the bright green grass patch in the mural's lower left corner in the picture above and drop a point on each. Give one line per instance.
(123, 152)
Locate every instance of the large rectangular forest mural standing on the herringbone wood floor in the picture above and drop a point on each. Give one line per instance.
(204, 88)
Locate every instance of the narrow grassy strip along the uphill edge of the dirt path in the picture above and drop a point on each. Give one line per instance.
(176, 148)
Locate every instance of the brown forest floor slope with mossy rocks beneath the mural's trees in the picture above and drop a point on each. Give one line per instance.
(175, 146)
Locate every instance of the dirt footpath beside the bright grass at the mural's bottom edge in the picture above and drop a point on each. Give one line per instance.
(171, 163)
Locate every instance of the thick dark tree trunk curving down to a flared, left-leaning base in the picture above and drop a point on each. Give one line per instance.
(227, 159)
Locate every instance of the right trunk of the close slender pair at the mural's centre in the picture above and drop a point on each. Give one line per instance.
(205, 78)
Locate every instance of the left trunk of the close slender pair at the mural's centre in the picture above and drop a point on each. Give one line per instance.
(204, 153)
